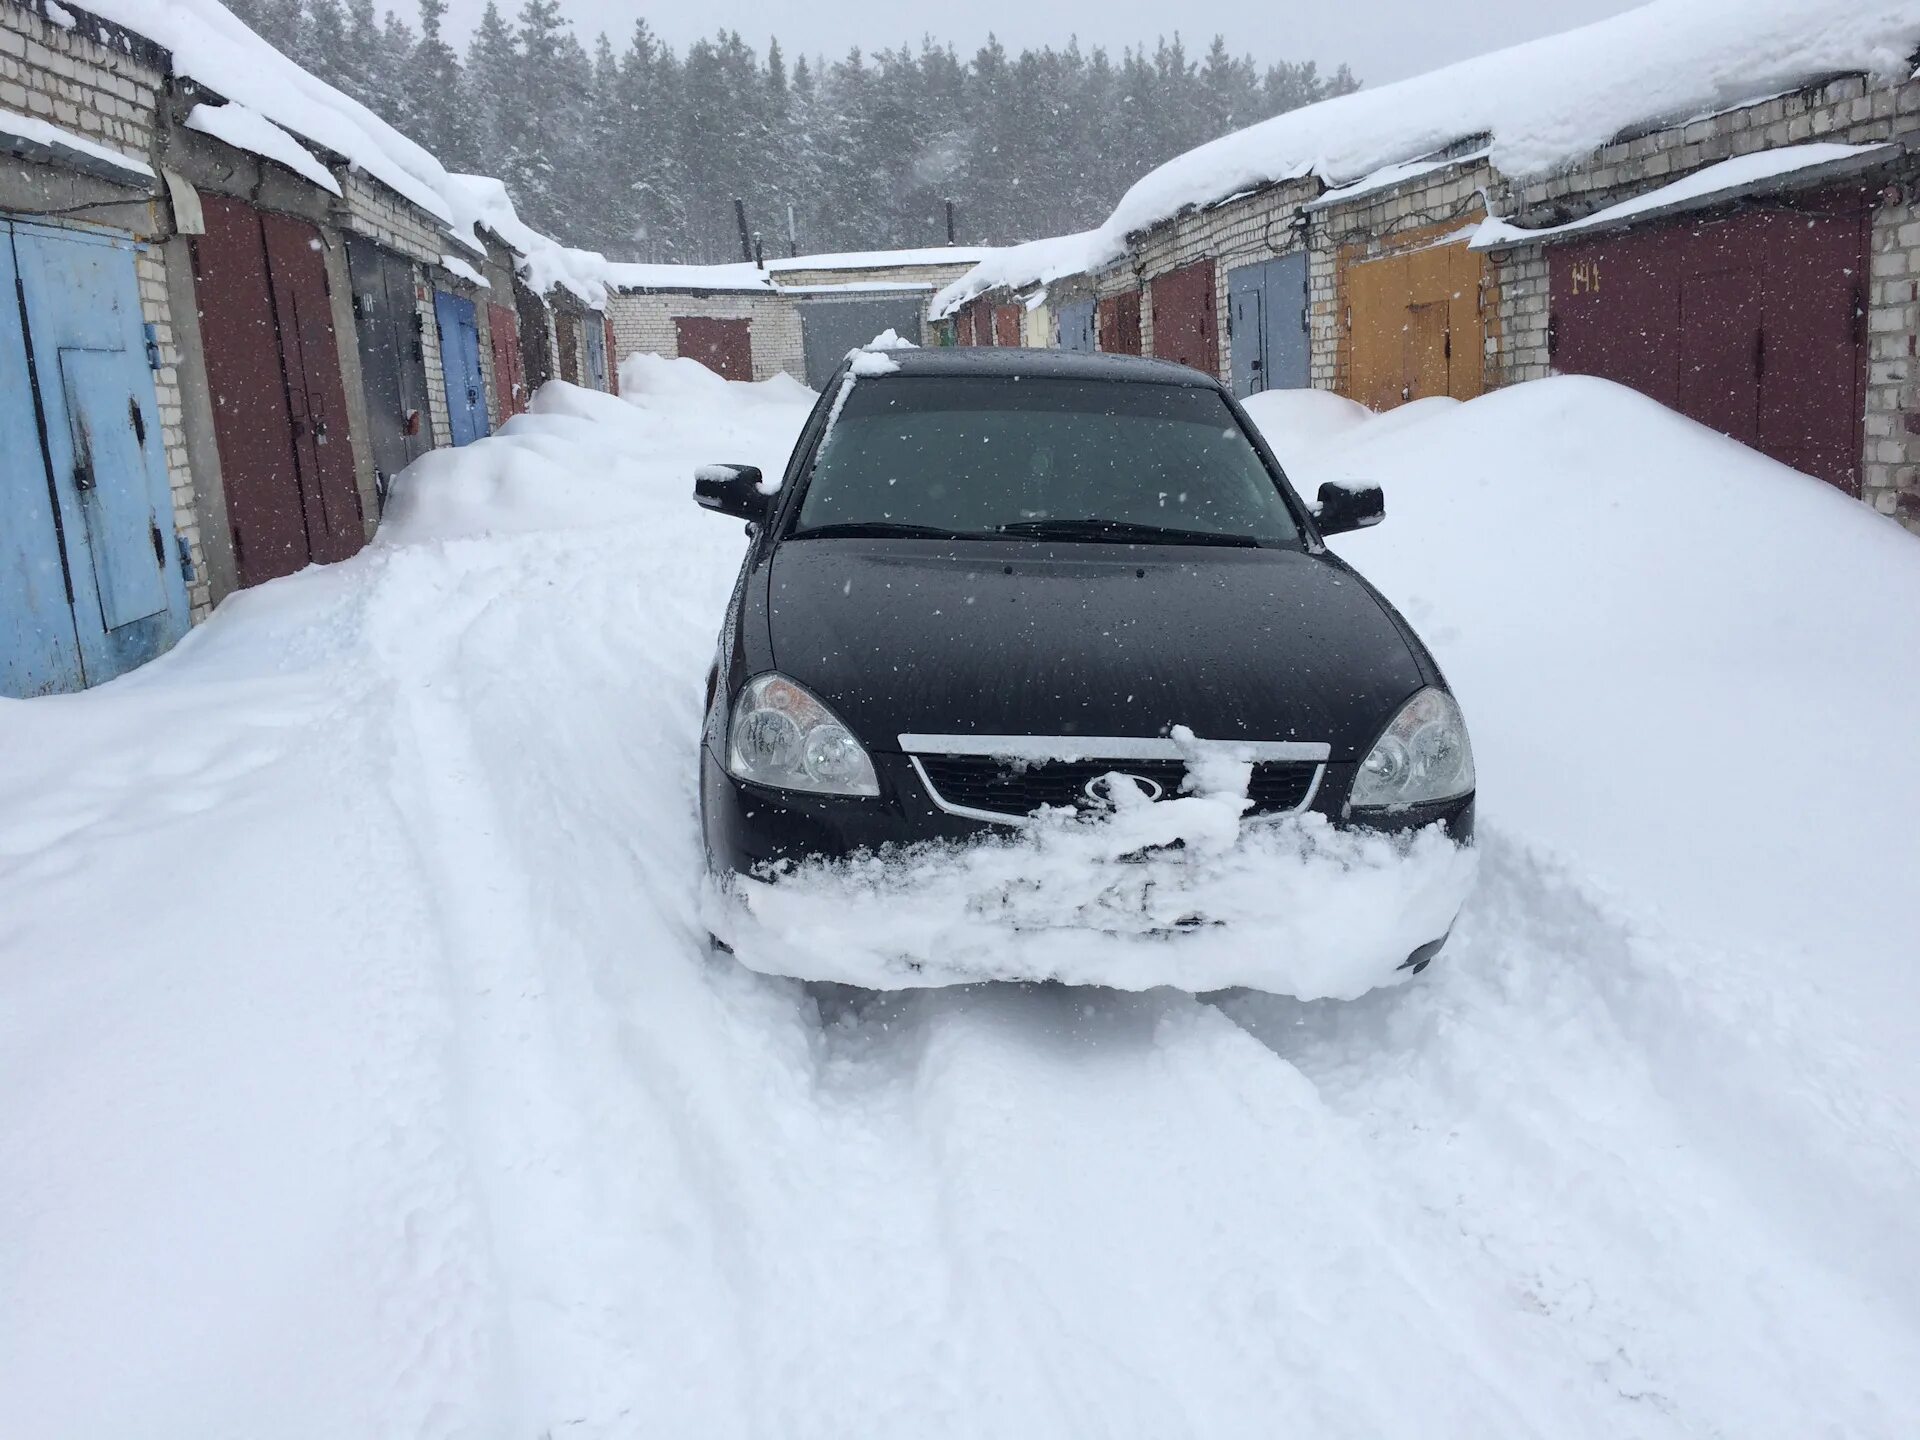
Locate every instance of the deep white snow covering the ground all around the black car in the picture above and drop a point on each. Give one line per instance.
(364, 1068)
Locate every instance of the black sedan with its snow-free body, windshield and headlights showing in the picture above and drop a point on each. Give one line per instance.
(996, 581)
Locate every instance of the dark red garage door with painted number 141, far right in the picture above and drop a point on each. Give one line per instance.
(1752, 324)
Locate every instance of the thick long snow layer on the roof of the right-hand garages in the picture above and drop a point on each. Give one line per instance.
(1552, 101)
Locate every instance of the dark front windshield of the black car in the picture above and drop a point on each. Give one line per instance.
(1042, 458)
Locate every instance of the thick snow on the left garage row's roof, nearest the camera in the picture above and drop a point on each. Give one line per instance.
(212, 47)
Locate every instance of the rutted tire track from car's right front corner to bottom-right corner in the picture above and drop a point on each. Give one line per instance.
(1518, 1097)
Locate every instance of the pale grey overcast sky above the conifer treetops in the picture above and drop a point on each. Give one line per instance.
(1380, 39)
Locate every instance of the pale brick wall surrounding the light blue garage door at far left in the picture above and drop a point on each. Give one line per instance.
(103, 84)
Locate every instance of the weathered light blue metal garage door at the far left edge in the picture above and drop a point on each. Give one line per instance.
(91, 575)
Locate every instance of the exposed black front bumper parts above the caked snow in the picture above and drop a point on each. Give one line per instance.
(752, 827)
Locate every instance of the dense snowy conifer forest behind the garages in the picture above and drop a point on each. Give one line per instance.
(640, 153)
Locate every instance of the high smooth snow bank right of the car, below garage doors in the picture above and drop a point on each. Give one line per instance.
(1689, 671)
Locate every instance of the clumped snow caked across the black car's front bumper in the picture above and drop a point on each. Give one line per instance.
(1176, 894)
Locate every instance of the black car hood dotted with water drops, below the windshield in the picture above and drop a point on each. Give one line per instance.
(1020, 638)
